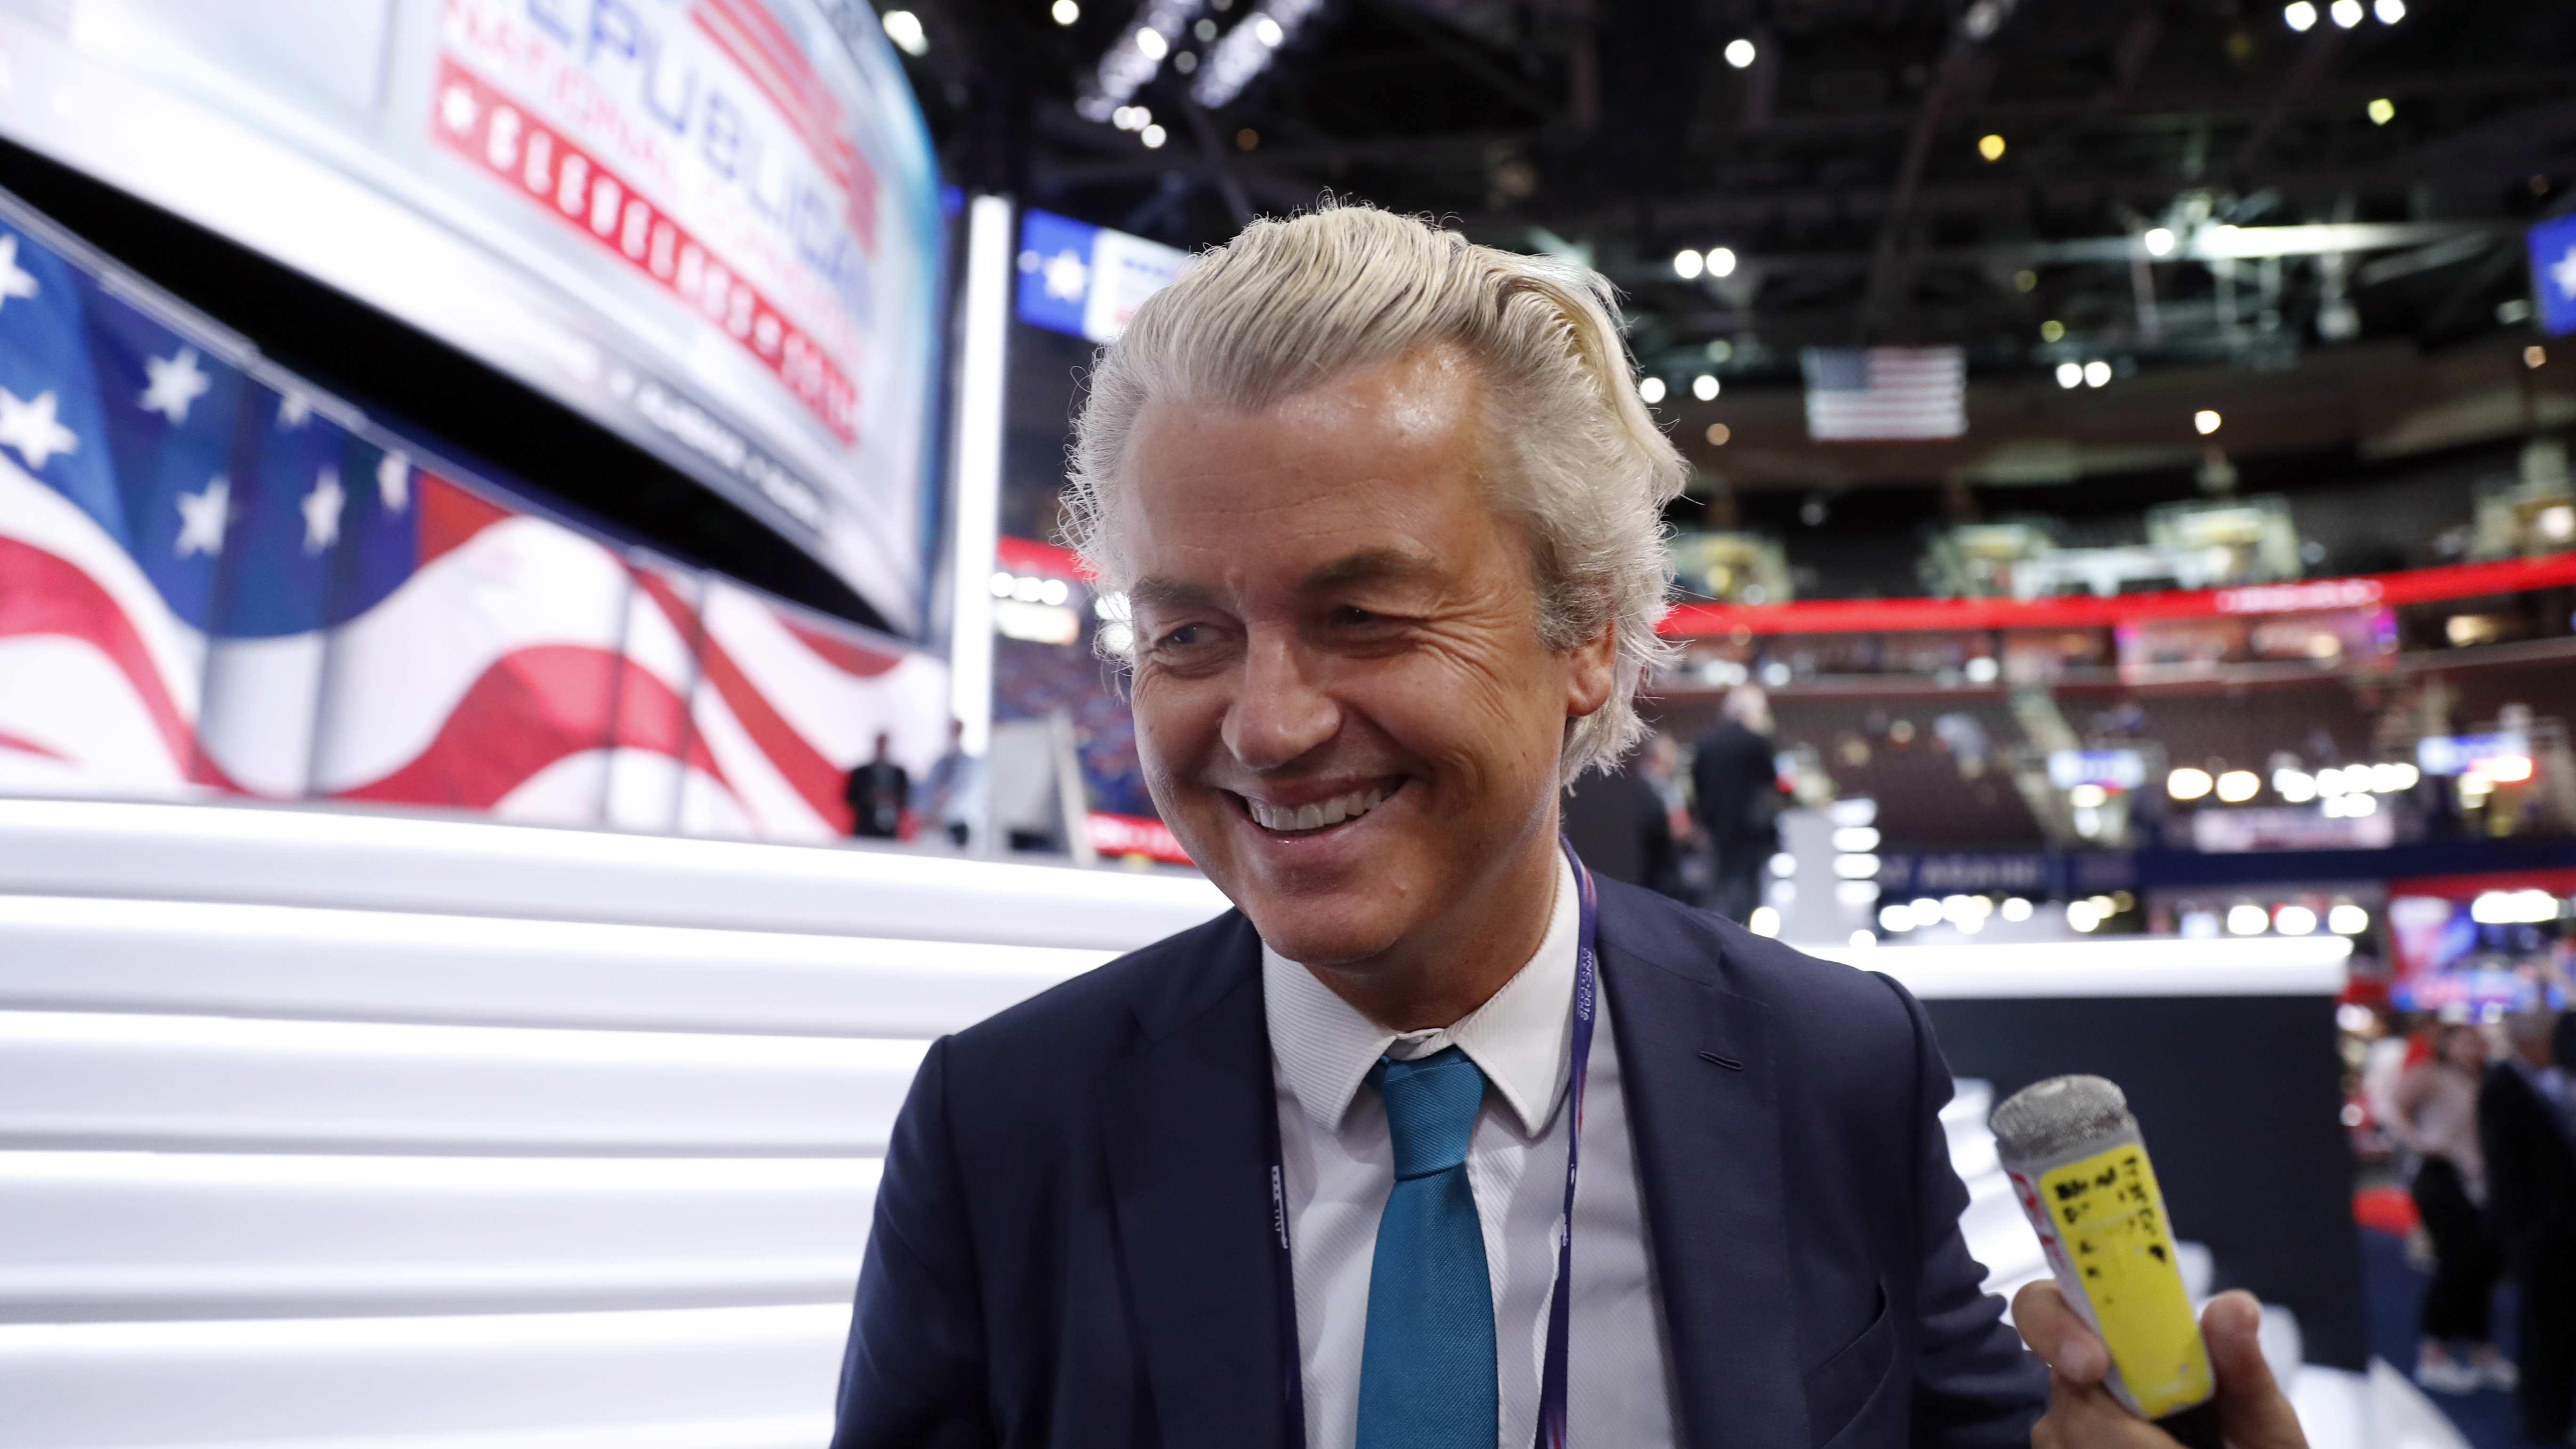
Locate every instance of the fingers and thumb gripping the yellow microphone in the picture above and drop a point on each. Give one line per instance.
(2253, 1412)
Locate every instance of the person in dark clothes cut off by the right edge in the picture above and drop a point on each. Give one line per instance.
(2531, 1185)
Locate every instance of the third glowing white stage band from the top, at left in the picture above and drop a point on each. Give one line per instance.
(246, 1084)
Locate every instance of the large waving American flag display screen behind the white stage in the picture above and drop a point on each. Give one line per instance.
(218, 579)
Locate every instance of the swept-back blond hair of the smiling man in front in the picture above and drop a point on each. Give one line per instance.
(1292, 306)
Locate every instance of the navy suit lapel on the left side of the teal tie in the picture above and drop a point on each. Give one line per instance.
(1189, 1156)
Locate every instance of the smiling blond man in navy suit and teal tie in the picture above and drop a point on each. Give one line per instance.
(1387, 517)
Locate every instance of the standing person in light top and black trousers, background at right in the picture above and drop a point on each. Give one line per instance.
(2436, 1115)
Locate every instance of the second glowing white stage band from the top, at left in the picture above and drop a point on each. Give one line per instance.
(295, 960)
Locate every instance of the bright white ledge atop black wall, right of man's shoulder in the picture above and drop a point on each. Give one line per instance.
(2142, 966)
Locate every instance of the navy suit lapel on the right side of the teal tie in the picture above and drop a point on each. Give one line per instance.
(1709, 1156)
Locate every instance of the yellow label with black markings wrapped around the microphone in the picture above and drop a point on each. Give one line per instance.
(2114, 1254)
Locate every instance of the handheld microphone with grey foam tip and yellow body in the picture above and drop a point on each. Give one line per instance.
(2080, 1167)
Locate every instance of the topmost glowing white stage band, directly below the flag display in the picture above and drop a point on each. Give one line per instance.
(478, 868)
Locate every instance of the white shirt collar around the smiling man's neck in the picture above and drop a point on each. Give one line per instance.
(1521, 1038)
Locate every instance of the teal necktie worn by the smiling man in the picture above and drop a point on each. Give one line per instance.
(1428, 1360)
